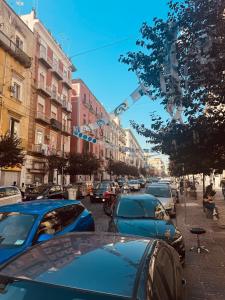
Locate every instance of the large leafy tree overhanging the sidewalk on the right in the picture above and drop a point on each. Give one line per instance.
(182, 62)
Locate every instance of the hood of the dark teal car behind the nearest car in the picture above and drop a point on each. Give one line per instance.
(147, 228)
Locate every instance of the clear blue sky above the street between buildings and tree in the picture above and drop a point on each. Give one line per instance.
(81, 25)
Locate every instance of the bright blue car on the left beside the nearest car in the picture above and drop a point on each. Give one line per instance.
(25, 224)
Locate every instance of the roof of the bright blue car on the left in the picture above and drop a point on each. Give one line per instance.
(38, 207)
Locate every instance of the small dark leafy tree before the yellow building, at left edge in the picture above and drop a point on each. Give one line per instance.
(10, 151)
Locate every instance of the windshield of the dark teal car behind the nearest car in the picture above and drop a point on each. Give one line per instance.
(136, 208)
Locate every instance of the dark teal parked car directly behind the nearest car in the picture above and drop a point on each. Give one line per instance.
(144, 215)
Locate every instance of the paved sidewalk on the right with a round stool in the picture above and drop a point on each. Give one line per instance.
(205, 273)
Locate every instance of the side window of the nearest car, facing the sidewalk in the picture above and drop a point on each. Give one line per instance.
(164, 283)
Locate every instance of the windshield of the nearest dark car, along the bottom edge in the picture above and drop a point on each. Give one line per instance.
(11, 289)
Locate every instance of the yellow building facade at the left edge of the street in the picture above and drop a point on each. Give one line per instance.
(16, 51)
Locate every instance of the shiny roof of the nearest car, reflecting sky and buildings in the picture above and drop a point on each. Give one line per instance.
(100, 262)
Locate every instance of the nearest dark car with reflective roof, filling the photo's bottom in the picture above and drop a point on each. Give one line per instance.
(94, 267)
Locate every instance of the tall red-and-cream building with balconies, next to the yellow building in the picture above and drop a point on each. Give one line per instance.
(50, 118)
